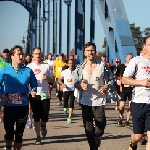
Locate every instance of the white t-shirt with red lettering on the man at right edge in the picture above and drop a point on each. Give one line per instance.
(139, 67)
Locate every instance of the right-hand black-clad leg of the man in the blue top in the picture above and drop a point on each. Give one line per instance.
(20, 125)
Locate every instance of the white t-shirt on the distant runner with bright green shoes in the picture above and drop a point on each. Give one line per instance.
(68, 80)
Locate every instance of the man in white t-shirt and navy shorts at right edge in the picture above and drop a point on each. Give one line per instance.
(139, 69)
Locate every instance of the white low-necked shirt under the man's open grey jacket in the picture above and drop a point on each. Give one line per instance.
(91, 96)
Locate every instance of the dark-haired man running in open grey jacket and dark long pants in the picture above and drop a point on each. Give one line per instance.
(93, 78)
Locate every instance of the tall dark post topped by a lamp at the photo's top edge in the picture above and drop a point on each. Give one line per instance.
(68, 2)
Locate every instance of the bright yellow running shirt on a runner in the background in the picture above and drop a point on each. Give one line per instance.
(58, 67)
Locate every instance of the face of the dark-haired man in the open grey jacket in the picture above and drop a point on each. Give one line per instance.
(90, 52)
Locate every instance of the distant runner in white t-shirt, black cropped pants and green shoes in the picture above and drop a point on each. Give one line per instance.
(68, 88)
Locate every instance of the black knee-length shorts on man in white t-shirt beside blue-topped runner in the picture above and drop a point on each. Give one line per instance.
(40, 108)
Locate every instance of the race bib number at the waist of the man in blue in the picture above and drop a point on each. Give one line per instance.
(15, 99)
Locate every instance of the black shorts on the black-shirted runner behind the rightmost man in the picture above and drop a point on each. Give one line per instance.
(126, 94)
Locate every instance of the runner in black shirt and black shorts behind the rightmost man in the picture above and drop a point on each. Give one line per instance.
(126, 93)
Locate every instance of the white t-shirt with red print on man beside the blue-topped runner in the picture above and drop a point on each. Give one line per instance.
(39, 70)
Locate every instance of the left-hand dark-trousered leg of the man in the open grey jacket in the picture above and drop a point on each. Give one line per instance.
(87, 116)
